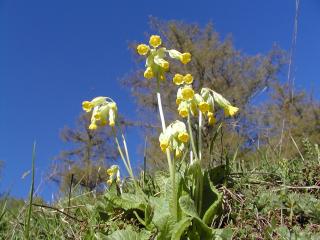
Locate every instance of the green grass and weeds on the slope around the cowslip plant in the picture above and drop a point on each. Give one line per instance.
(277, 200)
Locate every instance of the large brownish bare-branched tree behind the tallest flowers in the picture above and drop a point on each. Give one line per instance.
(215, 64)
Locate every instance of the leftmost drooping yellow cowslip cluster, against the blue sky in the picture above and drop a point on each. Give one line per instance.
(103, 112)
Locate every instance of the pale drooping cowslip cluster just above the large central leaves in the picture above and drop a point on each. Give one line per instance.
(174, 138)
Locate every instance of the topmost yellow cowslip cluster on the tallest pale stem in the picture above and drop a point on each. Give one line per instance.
(156, 65)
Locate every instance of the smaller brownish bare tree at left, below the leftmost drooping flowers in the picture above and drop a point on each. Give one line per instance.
(86, 163)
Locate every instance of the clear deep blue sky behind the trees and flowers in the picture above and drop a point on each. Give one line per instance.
(54, 54)
